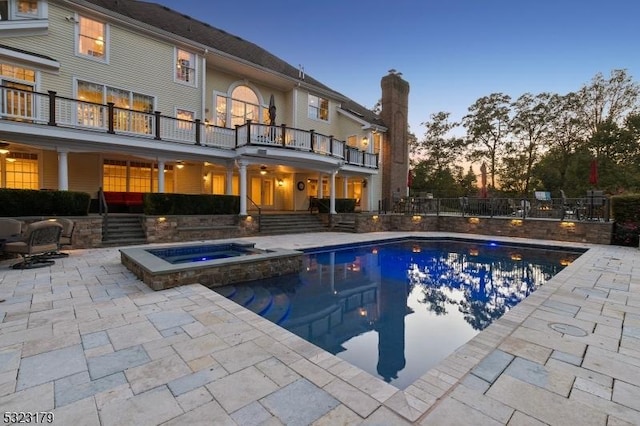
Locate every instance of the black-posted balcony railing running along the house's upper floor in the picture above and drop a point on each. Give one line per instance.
(53, 110)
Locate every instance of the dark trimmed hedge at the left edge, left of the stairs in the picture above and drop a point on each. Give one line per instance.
(30, 202)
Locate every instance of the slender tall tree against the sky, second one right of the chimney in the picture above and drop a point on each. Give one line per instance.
(487, 127)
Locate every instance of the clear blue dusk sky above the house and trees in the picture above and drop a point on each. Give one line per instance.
(451, 52)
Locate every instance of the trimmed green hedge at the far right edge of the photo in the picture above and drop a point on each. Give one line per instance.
(626, 211)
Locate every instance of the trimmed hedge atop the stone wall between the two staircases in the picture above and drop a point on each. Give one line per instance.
(190, 204)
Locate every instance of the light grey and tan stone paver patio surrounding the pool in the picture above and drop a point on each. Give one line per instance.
(86, 340)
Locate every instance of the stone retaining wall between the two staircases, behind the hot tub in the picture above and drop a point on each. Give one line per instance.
(166, 229)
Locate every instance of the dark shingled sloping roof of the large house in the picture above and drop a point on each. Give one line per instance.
(182, 25)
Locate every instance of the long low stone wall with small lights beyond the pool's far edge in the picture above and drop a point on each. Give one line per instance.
(545, 229)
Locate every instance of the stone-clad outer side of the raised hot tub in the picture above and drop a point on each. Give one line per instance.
(221, 275)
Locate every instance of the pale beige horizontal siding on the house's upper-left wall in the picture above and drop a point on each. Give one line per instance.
(136, 63)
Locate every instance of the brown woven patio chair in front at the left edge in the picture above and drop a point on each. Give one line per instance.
(40, 238)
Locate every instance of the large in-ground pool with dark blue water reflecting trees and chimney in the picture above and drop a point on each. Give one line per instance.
(397, 309)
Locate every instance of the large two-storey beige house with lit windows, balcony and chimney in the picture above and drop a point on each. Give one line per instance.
(135, 97)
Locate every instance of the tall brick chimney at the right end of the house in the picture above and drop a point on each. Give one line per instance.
(395, 152)
